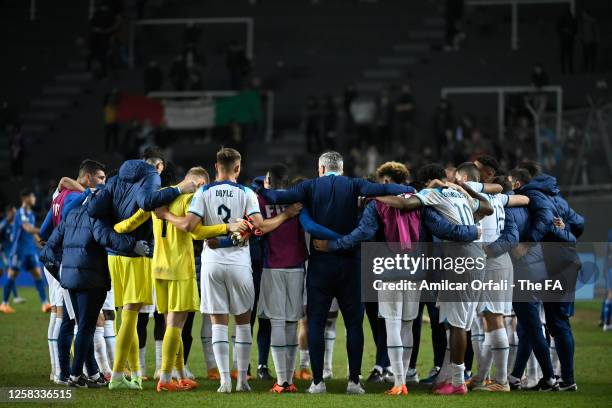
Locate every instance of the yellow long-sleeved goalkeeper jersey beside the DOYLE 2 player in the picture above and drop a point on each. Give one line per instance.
(173, 256)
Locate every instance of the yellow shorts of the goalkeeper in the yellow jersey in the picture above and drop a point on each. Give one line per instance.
(176, 295)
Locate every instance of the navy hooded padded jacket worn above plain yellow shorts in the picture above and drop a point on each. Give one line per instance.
(136, 186)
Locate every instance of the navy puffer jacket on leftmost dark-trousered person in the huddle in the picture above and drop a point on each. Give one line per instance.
(78, 245)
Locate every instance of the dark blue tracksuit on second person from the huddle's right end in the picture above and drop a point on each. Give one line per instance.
(517, 228)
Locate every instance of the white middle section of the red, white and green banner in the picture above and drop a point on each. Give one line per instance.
(192, 114)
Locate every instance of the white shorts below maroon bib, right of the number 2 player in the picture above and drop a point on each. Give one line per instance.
(280, 294)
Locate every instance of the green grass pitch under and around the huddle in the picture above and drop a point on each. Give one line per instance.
(24, 362)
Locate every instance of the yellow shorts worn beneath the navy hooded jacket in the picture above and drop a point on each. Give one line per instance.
(132, 280)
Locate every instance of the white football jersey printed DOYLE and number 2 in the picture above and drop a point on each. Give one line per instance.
(221, 203)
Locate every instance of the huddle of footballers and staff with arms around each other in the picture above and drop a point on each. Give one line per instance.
(127, 243)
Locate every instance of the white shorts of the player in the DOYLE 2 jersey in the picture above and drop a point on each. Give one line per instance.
(226, 289)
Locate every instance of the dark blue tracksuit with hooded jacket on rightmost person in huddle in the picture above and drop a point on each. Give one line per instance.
(561, 259)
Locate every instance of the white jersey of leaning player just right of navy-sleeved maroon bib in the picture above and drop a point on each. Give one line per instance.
(456, 207)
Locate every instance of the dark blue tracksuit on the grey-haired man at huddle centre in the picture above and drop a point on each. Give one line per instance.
(332, 202)
